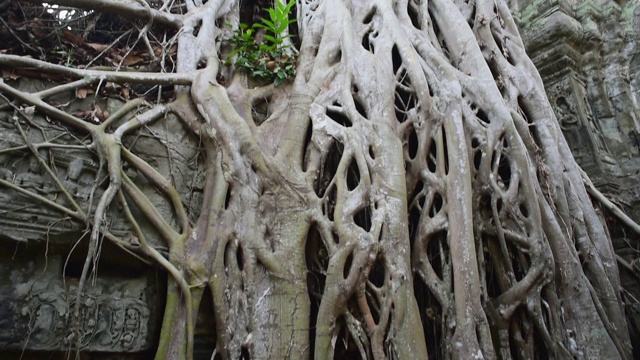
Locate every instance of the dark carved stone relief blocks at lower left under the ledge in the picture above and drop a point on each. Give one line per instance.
(37, 307)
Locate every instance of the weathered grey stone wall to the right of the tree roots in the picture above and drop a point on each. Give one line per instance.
(588, 56)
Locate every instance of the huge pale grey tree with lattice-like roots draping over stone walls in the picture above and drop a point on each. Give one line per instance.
(408, 193)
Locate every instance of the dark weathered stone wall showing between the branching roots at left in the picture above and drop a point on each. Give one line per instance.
(42, 250)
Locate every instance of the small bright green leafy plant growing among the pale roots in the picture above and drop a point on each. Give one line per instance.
(271, 58)
